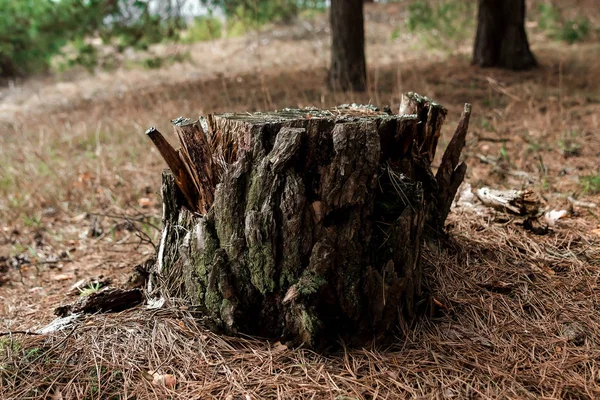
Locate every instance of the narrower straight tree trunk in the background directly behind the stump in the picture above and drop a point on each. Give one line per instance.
(348, 65)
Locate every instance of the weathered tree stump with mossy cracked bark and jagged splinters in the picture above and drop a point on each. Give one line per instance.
(304, 225)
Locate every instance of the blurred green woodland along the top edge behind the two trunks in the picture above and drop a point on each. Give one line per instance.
(55, 36)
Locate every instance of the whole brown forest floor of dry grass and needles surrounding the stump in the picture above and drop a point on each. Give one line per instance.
(519, 313)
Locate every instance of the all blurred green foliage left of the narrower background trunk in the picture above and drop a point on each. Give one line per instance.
(35, 31)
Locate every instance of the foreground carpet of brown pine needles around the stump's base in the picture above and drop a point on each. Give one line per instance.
(516, 318)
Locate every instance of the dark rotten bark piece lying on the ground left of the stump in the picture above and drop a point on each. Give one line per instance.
(107, 299)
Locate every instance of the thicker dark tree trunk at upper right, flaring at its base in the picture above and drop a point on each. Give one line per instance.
(501, 39)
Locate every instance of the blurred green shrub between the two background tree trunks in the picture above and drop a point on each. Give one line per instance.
(440, 22)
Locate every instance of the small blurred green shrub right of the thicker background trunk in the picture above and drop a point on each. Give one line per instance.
(571, 30)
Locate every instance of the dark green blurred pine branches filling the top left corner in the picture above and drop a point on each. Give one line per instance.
(34, 31)
